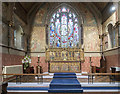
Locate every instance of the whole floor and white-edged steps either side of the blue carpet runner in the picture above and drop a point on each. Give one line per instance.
(27, 85)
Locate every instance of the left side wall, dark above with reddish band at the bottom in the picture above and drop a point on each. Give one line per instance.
(11, 55)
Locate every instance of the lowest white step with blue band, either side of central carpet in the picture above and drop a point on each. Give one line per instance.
(95, 88)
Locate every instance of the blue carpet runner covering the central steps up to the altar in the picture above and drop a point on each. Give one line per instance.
(65, 83)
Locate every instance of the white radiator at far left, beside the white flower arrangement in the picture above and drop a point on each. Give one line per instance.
(14, 69)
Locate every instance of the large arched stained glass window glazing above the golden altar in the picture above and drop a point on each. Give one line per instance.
(64, 29)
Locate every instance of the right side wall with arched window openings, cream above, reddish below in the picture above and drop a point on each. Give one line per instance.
(111, 53)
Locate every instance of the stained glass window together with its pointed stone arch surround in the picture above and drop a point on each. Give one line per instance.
(54, 19)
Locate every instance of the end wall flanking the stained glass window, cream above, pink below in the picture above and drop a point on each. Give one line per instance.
(90, 28)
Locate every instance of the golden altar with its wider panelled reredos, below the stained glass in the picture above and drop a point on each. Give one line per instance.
(64, 59)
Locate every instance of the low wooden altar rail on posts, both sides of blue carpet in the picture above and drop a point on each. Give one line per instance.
(112, 76)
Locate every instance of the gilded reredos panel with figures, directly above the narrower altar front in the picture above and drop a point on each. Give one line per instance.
(64, 54)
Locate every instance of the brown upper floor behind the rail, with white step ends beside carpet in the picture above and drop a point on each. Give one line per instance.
(48, 78)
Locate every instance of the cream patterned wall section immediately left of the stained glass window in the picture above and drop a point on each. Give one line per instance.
(38, 41)
